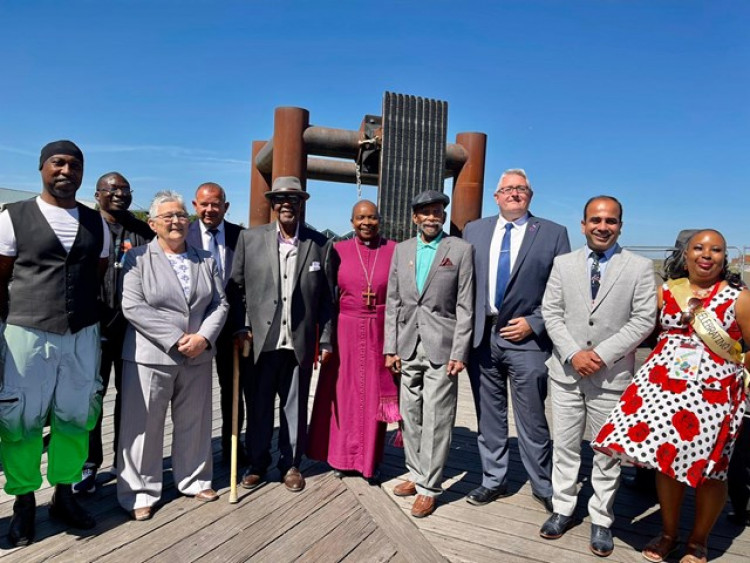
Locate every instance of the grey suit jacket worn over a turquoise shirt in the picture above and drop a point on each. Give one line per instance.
(441, 315)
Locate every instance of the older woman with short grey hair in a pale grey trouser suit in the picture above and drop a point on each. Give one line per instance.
(174, 301)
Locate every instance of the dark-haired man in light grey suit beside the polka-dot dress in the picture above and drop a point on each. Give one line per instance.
(599, 304)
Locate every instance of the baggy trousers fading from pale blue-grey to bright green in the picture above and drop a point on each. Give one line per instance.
(47, 376)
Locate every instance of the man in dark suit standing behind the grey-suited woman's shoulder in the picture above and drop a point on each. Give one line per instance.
(219, 237)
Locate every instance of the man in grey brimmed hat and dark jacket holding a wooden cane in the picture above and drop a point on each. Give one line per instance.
(281, 271)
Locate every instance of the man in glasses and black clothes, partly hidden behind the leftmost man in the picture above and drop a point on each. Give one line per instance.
(126, 231)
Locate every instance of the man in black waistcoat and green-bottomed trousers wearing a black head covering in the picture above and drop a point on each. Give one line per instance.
(55, 251)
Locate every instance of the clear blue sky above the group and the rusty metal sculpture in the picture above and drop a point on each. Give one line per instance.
(644, 100)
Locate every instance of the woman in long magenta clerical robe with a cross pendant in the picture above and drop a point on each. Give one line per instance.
(356, 396)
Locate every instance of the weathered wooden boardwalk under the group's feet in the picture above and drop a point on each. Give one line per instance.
(347, 520)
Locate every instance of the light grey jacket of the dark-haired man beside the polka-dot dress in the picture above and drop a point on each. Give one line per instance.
(613, 325)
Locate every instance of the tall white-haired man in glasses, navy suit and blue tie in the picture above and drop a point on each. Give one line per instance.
(514, 252)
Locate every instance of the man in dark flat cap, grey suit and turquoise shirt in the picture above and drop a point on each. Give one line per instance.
(428, 321)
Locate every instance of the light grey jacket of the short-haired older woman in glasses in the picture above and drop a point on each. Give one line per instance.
(156, 309)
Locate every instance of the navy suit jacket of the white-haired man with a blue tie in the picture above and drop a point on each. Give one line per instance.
(542, 241)
